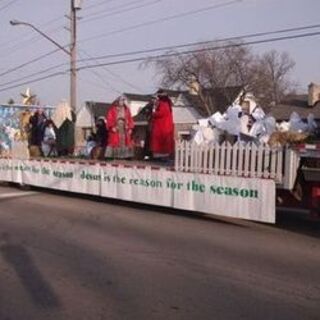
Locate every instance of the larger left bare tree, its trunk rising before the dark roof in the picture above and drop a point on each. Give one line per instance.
(209, 68)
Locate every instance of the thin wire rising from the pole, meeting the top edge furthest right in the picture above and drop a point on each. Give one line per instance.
(161, 20)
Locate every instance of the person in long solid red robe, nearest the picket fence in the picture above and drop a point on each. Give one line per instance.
(162, 127)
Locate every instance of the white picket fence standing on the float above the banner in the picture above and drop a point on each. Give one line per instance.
(235, 160)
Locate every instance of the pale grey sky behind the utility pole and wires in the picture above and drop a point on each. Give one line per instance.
(110, 27)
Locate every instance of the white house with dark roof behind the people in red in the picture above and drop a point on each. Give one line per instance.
(188, 108)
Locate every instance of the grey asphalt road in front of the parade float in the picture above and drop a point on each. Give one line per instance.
(65, 257)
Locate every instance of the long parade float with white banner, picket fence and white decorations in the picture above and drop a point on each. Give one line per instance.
(242, 179)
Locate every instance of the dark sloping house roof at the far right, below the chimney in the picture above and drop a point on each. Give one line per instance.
(294, 103)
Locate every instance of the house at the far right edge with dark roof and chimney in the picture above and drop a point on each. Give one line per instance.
(303, 104)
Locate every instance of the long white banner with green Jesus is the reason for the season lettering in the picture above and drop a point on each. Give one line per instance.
(246, 198)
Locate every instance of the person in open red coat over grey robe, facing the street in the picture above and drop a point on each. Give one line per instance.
(120, 125)
